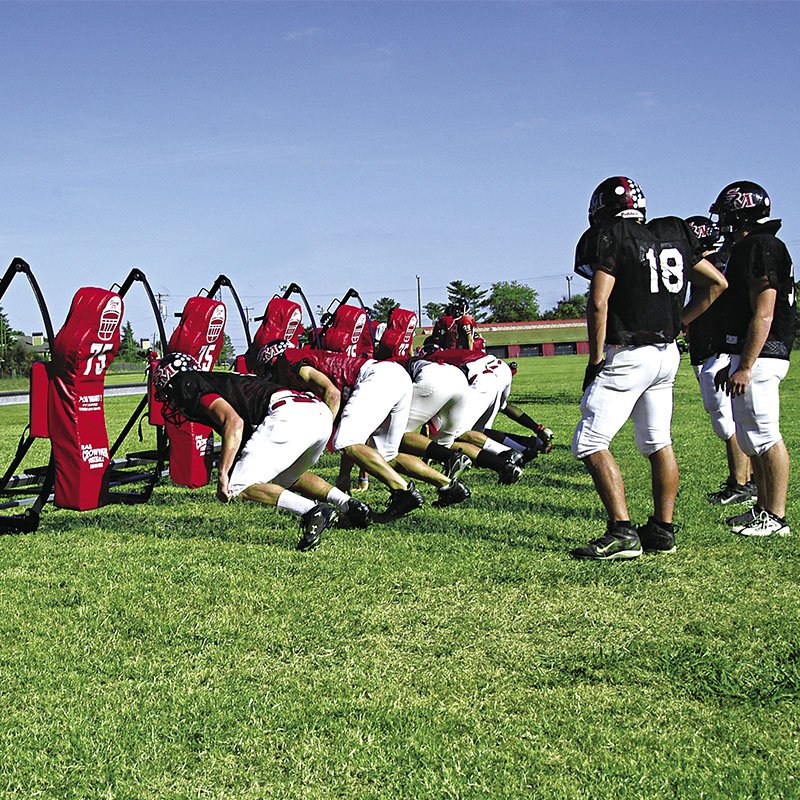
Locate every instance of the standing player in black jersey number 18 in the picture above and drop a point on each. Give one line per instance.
(635, 309)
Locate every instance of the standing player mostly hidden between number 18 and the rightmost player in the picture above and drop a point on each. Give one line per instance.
(707, 357)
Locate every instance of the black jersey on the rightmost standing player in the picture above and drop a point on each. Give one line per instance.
(757, 256)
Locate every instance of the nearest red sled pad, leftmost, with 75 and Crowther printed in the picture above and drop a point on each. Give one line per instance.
(82, 352)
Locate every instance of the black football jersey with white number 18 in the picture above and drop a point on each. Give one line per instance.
(650, 264)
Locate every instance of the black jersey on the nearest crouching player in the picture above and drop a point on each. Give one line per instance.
(248, 395)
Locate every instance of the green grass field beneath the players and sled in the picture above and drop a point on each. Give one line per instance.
(184, 649)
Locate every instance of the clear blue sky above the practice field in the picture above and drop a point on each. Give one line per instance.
(362, 144)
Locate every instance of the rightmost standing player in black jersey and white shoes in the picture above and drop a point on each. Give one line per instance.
(759, 312)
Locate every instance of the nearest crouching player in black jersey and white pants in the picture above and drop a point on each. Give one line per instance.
(270, 437)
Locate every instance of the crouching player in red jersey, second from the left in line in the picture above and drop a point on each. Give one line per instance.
(370, 401)
